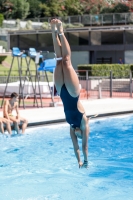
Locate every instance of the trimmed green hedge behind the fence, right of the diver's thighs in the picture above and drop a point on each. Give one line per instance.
(118, 70)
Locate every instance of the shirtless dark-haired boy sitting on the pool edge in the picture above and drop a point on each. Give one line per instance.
(9, 106)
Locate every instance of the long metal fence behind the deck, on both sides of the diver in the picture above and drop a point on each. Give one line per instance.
(91, 86)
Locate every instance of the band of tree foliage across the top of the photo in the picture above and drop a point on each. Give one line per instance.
(51, 8)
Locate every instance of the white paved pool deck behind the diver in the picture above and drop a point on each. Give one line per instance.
(95, 106)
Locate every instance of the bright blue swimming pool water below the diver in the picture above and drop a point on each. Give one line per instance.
(41, 164)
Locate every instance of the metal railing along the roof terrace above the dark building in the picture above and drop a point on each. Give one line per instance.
(76, 21)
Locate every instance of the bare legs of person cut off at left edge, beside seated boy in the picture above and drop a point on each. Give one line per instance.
(7, 123)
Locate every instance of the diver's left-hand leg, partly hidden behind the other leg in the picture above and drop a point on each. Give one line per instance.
(58, 73)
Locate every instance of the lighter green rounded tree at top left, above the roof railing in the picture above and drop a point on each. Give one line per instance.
(20, 9)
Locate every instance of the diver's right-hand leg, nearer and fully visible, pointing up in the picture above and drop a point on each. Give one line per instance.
(70, 77)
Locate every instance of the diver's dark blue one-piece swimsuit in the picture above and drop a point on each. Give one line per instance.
(73, 116)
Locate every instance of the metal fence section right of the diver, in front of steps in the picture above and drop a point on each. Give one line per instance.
(106, 86)
